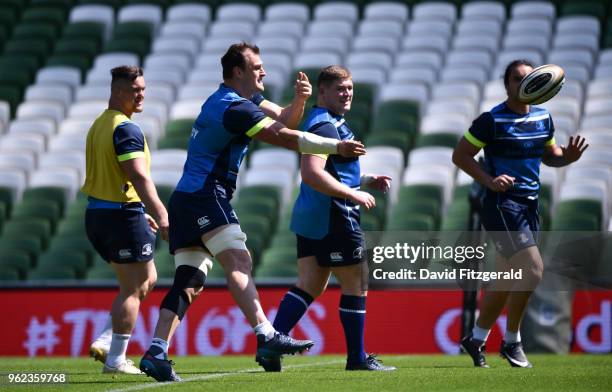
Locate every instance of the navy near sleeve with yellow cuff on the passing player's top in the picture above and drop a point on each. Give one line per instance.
(245, 118)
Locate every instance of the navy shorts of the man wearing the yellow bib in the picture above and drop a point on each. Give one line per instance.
(121, 236)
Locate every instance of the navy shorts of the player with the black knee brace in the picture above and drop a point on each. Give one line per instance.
(194, 214)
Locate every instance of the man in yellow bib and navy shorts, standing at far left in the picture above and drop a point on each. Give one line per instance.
(117, 183)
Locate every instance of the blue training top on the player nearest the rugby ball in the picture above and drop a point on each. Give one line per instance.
(513, 145)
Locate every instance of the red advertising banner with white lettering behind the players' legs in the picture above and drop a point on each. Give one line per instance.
(64, 321)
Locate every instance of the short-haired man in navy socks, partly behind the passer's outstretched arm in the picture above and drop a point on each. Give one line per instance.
(326, 221)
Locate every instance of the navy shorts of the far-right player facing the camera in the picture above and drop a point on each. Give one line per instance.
(513, 223)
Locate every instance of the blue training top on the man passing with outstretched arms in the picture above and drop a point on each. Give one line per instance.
(219, 140)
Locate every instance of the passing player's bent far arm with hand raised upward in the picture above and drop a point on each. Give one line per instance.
(290, 115)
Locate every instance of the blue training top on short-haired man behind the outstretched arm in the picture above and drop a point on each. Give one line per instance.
(315, 214)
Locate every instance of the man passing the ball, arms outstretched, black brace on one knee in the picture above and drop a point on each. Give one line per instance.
(204, 224)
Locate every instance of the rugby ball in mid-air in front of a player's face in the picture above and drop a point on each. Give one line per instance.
(541, 84)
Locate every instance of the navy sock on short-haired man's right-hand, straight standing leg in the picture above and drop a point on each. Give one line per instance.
(352, 315)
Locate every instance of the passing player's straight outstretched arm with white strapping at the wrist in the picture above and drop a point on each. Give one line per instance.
(278, 134)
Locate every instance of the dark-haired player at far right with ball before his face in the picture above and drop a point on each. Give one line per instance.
(516, 138)
